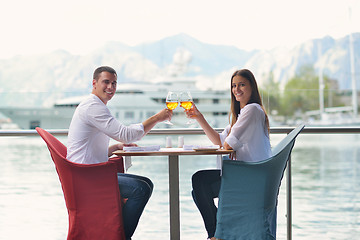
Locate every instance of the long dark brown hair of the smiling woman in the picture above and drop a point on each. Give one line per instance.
(255, 97)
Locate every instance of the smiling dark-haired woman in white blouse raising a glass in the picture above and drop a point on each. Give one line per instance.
(247, 134)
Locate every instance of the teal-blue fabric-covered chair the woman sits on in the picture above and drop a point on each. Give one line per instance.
(248, 194)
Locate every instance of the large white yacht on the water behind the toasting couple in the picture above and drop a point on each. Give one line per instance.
(132, 103)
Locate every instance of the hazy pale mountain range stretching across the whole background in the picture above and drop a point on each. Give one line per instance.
(42, 79)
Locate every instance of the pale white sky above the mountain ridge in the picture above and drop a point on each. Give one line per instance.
(80, 26)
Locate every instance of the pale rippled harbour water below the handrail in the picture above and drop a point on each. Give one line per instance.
(326, 190)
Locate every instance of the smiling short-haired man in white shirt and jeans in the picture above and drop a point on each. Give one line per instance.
(90, 131)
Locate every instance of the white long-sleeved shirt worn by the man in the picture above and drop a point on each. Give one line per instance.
(90, 131)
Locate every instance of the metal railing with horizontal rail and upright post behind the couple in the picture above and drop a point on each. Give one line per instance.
(198, 131)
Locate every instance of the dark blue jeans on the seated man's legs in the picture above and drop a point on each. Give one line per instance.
(137, 189)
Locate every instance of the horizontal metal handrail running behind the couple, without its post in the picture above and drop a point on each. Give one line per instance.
(190, 131)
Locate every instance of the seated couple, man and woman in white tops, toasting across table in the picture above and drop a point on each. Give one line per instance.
(93, 125)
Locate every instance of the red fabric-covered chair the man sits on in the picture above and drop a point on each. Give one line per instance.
(91, 193)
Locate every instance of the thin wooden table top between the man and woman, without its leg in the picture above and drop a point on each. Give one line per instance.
(173, 151)
